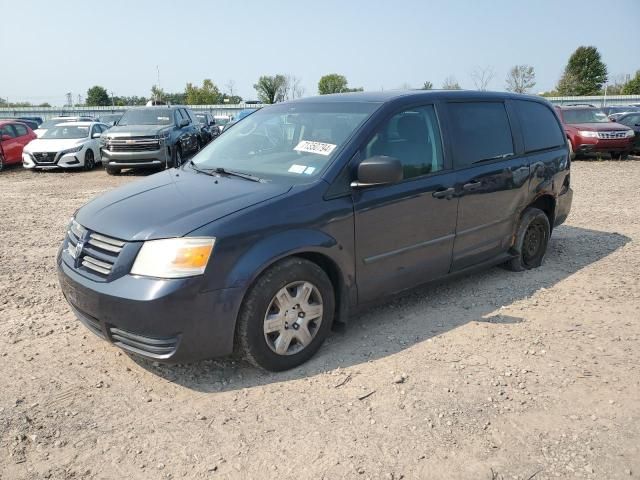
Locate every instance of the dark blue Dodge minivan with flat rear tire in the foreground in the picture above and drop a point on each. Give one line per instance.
(308, 209)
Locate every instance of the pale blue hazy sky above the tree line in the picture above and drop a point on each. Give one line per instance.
(53, 47)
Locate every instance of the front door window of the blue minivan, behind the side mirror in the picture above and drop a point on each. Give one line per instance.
(413, 137)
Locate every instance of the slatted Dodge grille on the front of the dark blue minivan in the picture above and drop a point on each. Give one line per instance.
(98, 253)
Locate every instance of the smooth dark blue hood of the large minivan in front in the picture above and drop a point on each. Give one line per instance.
(171, 203)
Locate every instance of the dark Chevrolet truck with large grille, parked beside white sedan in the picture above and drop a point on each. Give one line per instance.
(159, 136)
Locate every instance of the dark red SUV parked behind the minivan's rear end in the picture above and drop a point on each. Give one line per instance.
(589, 130)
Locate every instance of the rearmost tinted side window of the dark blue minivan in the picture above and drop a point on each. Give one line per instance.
(540, 129)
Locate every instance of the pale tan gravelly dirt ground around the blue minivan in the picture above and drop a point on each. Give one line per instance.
(495, 376)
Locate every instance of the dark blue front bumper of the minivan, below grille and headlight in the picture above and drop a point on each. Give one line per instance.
(165, 320)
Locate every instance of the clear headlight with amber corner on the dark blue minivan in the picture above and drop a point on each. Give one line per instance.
(173, 257)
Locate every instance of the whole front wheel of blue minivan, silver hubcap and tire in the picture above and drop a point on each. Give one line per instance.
(286, 315)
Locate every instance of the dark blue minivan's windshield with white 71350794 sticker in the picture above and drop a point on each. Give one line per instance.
(288, 142)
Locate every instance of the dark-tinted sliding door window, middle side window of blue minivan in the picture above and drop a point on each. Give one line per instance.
(481, 132)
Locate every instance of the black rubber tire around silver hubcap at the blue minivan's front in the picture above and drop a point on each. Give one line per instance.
(251, 339)
